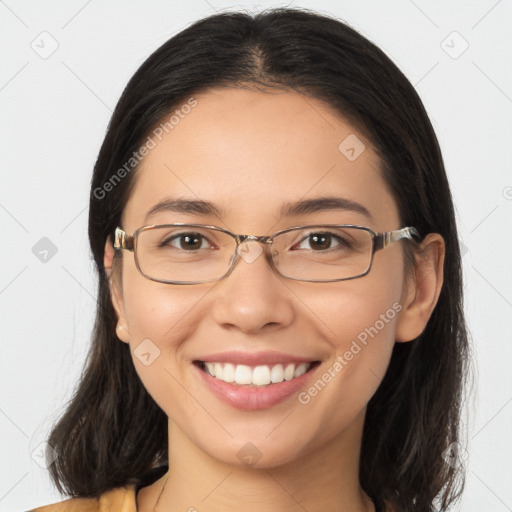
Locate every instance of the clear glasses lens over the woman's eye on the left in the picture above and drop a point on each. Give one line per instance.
(184, 253)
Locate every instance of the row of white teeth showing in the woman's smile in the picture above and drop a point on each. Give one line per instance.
(255, 376)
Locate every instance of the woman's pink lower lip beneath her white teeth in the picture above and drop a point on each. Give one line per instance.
(254, 398)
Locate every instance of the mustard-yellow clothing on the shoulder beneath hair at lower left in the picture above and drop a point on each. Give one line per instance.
(120, 499)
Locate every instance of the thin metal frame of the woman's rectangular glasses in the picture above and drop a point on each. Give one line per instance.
(379, 241)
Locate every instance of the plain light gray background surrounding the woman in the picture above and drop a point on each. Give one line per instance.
(54, 112)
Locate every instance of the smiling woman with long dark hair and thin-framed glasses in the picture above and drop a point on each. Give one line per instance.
(313, 368)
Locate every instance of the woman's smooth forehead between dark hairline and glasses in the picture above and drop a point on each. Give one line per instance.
(250, 152)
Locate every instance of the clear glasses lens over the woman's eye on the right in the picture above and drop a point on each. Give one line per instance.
(323, 253)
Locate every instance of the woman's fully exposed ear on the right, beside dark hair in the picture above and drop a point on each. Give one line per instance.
(422, 289)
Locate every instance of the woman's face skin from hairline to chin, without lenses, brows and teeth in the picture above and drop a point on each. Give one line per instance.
(249, 153)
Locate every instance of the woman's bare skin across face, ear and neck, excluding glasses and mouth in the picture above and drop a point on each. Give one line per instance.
(249, 152)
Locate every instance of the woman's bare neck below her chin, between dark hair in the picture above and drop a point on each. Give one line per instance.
(325, 479)
